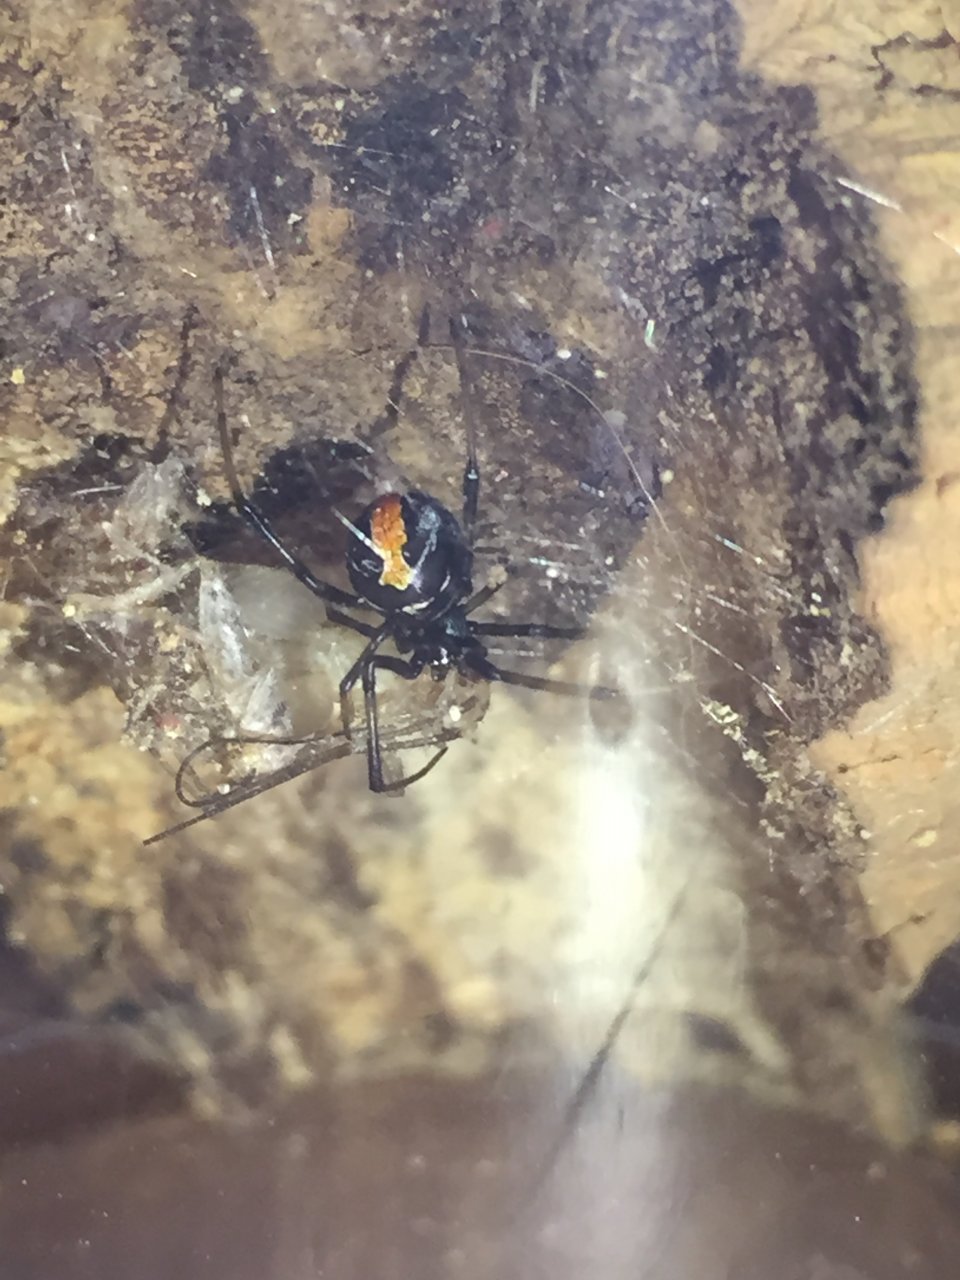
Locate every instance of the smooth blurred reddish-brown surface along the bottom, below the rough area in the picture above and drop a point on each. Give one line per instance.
(442, 1180)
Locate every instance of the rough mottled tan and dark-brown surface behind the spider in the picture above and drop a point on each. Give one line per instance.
(706, 267)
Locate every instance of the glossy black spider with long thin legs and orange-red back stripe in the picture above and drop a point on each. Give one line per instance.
(409, 560)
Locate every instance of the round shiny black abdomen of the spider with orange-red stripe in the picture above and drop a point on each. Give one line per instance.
(409, 555)
